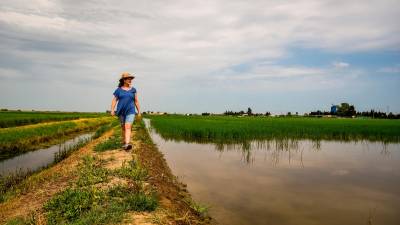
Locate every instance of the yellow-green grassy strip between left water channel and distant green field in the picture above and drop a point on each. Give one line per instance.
(21, 139)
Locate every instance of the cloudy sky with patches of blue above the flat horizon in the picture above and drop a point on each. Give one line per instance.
(198, 56)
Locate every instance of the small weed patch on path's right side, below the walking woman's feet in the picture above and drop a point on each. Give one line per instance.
(132, 170)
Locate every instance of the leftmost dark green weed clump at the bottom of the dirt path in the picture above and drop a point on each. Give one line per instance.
(70, 204)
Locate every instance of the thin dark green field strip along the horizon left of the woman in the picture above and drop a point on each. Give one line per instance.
(19, 118)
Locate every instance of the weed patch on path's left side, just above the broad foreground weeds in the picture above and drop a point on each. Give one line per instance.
(91, 172)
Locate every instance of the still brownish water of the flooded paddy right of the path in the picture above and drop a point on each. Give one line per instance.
(291, 181)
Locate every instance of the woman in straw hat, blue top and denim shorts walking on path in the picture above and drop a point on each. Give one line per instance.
(126, 97)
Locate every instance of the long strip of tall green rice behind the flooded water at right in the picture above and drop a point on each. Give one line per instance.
(226, 129)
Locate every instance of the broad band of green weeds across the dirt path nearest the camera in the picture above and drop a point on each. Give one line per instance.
(90, 206)
